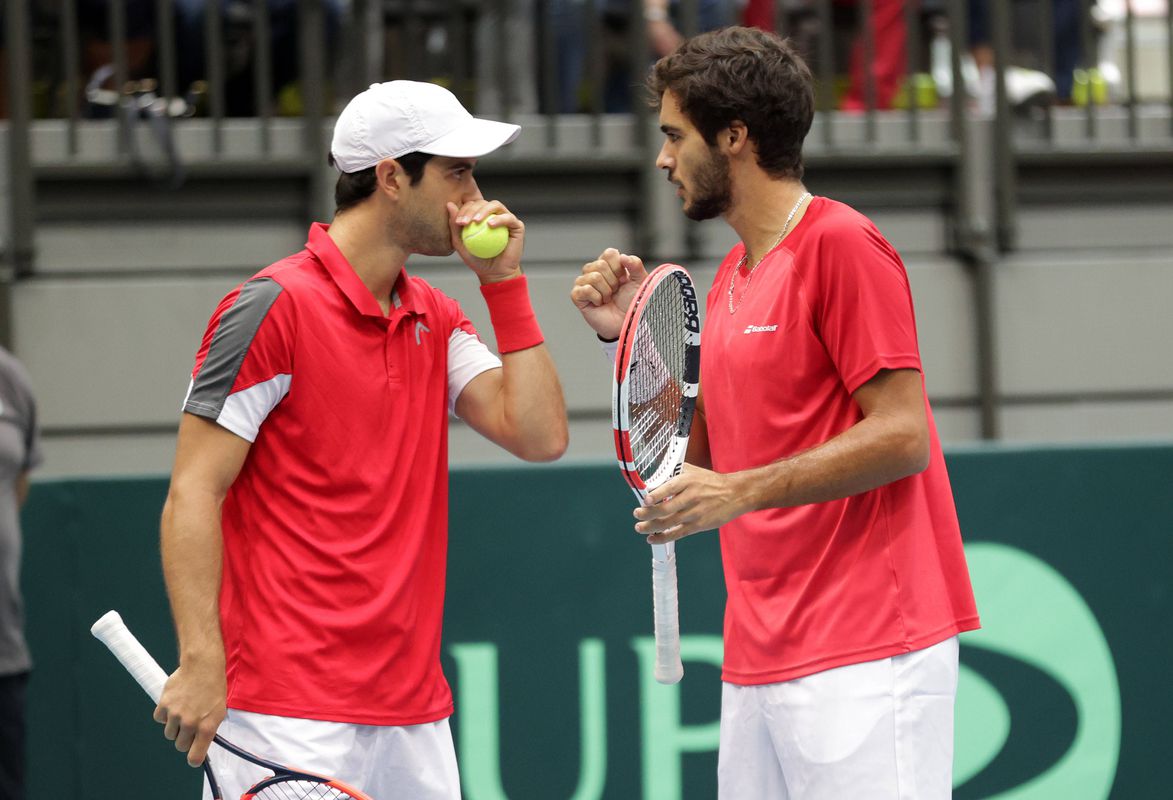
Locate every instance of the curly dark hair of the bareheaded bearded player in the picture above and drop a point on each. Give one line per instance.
(743, 74)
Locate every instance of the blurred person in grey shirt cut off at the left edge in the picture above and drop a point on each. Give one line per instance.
(19, 455)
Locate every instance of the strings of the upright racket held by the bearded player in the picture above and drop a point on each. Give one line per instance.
(657, 378)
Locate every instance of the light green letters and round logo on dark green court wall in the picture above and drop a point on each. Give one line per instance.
(1029, 613)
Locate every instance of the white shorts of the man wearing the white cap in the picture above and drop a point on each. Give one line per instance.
(405, 763)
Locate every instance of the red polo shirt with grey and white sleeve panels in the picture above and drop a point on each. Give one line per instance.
(336, 531)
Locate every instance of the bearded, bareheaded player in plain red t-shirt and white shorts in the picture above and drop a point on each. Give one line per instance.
(813, 451)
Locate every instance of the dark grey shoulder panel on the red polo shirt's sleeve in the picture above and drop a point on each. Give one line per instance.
(230, 344)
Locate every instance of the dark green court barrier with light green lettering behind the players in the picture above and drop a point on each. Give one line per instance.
(547, 643)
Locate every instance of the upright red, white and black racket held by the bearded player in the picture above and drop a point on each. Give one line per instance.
(657, 375)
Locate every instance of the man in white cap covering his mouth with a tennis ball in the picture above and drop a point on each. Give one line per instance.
(306, 531)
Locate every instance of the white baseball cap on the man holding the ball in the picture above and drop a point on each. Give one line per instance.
(397, 118)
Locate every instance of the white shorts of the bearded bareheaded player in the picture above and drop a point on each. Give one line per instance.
(880, 730)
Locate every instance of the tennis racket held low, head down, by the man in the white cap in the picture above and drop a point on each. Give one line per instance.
(284, 784)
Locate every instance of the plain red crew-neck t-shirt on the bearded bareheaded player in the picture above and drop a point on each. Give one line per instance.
(855, 580)
